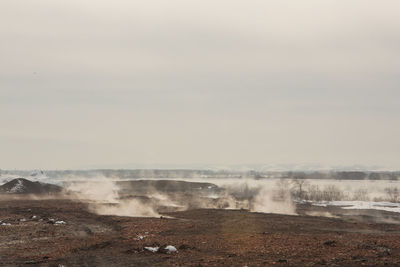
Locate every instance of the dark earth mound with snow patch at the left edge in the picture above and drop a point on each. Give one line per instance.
(24, 186)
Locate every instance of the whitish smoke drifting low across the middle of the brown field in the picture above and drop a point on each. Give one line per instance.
(149, 197)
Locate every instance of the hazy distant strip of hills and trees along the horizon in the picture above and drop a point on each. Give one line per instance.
(127, 174)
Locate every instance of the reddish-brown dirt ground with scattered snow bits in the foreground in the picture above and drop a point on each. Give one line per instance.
(202, 237)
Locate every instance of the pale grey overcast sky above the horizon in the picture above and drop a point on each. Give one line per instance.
(94, 83)
